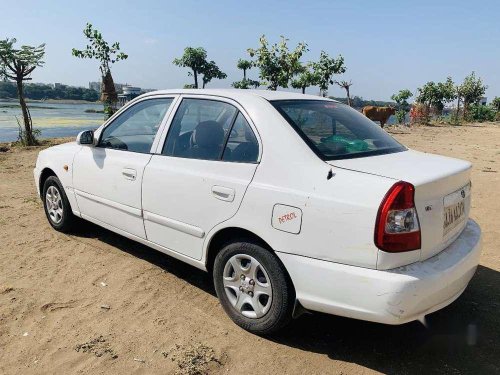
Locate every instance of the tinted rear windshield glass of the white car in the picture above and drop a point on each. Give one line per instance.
(336, 131)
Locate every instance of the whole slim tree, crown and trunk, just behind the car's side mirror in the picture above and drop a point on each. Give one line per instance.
(100, 50)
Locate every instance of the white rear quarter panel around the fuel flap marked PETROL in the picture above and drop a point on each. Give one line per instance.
(338, 214)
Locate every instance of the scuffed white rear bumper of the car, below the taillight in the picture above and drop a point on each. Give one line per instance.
(395, 296)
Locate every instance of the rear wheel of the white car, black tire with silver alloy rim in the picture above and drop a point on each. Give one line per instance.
(253, 287)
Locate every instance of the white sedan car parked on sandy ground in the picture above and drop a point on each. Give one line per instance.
(292, 202)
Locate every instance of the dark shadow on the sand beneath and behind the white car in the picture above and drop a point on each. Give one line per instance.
(462, 338)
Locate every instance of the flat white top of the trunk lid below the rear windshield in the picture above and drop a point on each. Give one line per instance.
(416, 167)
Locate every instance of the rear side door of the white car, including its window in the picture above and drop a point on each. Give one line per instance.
(200, 174)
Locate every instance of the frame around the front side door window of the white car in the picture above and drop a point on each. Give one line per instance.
(99, 132)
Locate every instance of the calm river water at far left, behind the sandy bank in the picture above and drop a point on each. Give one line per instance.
(53, 119)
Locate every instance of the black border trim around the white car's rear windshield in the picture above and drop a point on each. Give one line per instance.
(313, 147)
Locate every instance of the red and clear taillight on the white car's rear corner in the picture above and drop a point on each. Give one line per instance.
(397, 228)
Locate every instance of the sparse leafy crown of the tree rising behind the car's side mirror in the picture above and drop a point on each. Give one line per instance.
(100, 50)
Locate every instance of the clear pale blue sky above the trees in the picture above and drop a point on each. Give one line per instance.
(387, 45)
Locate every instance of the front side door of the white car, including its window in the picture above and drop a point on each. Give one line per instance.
(107, 178)
